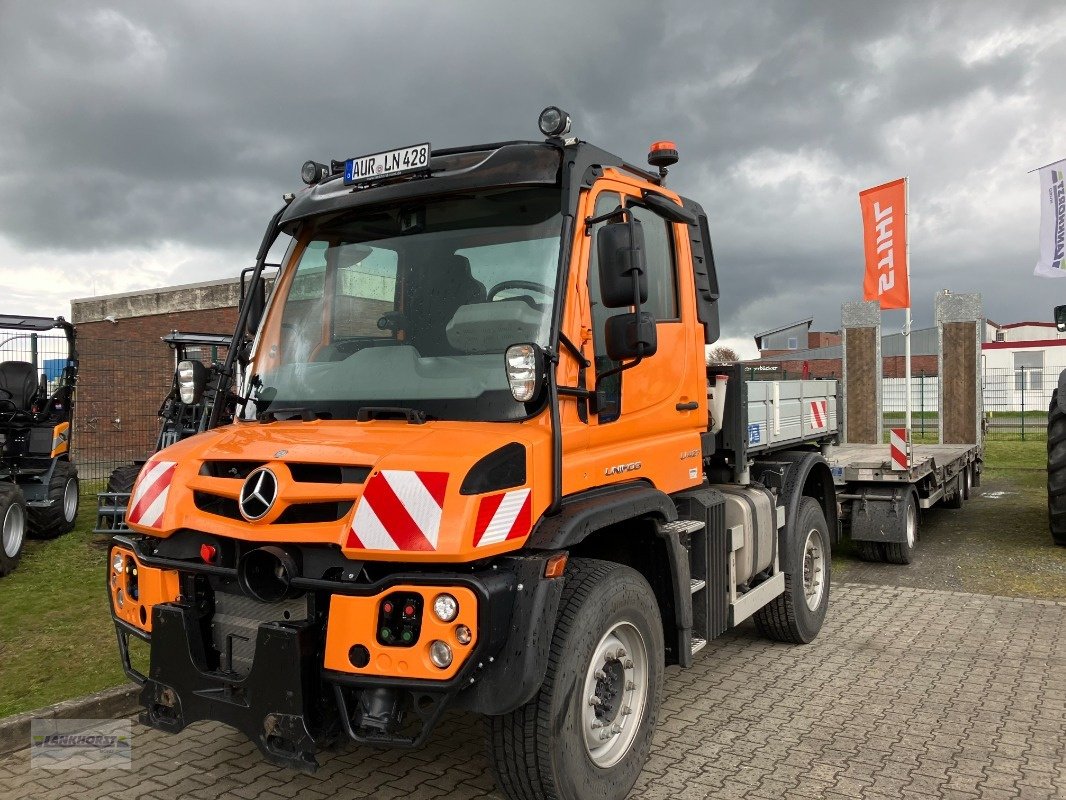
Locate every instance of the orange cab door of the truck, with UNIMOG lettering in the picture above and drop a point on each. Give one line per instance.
(649, 419)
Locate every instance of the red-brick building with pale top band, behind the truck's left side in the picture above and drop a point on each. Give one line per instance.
(126, 370)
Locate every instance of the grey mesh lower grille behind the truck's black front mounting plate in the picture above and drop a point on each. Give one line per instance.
(236, 625)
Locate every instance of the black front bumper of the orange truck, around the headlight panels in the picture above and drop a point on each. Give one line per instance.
(292, 706)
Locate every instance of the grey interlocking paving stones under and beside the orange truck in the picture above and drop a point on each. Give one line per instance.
(908, 694)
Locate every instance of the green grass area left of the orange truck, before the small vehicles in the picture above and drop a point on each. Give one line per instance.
(57, 639)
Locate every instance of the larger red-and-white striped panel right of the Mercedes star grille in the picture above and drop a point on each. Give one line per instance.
(400, 510)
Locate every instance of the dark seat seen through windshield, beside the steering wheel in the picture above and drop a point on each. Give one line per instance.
(442, 290)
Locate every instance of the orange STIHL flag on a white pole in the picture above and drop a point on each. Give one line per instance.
(885, 242)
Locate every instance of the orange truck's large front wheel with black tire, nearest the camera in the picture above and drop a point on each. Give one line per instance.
(586, 733)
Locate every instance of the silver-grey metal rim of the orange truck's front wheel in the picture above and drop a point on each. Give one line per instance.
(616, 695)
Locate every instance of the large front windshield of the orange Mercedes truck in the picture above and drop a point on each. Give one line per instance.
(412, 308)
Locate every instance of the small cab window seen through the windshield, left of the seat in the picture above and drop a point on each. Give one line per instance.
(364, 291)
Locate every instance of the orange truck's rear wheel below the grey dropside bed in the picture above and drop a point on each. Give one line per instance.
(798, 615)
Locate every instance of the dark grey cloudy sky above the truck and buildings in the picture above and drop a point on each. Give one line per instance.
(148, 145)
